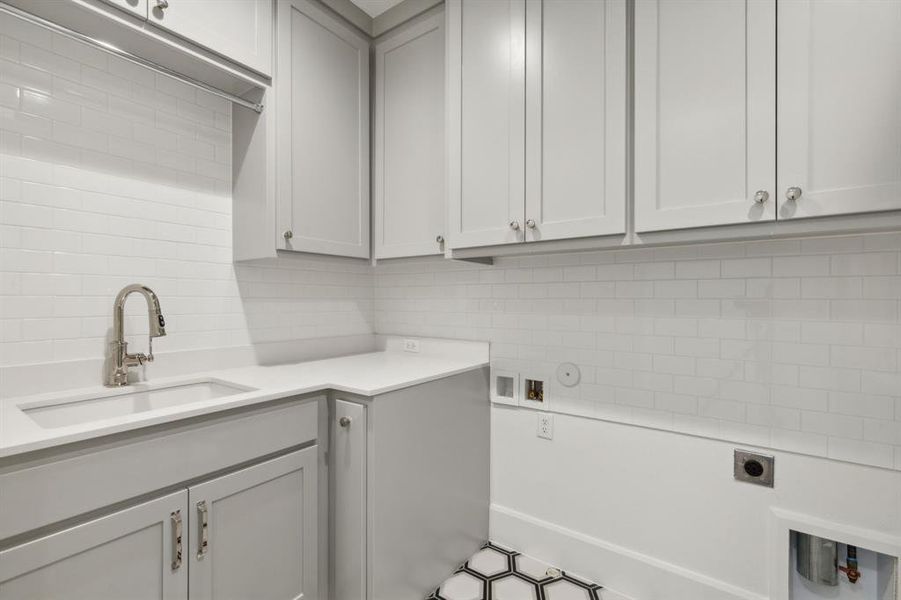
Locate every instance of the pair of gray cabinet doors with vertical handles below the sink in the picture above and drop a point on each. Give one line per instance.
(252, 533)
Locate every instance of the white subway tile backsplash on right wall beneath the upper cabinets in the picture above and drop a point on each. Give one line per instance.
(792, 343)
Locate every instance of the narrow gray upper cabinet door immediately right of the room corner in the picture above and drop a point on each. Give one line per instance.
(409, 147)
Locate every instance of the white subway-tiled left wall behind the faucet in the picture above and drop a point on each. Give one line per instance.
(109, 175)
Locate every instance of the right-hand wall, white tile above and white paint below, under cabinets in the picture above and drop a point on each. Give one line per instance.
(790, 345)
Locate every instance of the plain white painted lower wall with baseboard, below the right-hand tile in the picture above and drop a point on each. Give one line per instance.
(657, 515)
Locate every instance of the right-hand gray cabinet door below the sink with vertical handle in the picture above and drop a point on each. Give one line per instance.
(254, 532)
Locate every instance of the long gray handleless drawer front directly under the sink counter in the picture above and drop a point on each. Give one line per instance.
(58, 488)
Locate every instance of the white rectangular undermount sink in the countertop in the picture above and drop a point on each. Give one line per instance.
(75, 410)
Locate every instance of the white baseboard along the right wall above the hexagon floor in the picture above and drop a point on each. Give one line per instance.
(628, 575)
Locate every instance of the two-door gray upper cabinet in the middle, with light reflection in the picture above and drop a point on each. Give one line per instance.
(537, 111)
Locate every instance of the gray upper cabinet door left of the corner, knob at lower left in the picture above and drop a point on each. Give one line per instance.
(323, 132)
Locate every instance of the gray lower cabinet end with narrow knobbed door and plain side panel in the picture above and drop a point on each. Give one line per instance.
(409, 486)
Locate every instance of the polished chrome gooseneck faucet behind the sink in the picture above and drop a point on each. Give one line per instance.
(119, 360)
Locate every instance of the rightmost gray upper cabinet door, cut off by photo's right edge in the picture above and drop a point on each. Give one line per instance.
(839, 97)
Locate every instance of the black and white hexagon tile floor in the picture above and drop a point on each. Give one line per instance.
(496, 573)
